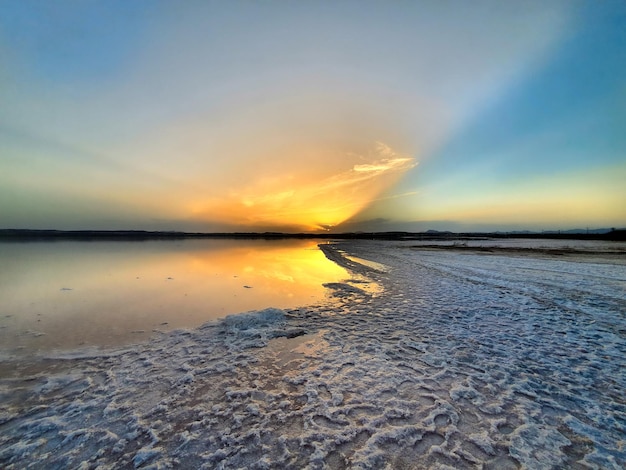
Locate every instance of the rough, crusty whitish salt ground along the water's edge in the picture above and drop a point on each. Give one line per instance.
(464, 361)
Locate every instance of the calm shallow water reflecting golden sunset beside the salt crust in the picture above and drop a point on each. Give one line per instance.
(69, 294)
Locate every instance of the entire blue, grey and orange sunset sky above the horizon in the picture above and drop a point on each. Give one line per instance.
(312, 115)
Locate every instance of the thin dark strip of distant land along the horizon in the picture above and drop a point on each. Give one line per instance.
(141, 235)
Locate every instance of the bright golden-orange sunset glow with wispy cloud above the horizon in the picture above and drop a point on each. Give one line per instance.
(305, 203)
